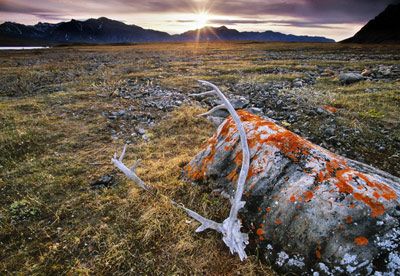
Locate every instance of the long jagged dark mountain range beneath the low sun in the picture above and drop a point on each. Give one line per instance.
(104, 31)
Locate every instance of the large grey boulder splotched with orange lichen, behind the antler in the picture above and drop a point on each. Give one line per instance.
(307, 209)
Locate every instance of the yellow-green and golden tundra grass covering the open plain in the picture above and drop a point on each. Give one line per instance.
(55, 141)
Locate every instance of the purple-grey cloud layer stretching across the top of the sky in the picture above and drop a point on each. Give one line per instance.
(304, 13)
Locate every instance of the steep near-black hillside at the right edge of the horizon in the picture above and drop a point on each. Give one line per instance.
(385, 28)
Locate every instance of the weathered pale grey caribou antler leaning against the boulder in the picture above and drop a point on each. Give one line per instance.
(230, 227)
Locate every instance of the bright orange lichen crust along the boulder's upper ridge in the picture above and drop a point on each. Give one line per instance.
(334, 169)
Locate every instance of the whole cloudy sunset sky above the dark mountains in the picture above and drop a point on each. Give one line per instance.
(337, 19)
